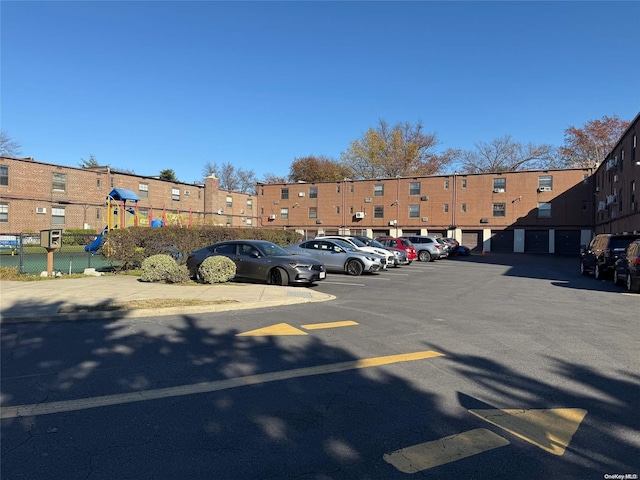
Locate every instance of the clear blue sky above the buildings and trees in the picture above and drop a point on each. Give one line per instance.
(147, 86)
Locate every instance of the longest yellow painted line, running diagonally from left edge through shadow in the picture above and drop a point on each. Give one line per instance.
(206, 387)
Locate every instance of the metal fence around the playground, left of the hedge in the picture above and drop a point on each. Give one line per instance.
(23, 251)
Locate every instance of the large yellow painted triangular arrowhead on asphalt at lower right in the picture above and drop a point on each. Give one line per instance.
(550, 429)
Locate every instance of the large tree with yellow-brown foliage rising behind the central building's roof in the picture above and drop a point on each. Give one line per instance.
(401, 150)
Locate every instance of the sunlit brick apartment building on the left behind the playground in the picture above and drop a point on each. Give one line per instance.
(35, 196)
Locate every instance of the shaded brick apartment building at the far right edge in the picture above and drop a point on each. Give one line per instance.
(617, 185)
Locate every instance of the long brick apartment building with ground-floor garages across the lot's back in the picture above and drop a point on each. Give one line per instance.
(530, 211)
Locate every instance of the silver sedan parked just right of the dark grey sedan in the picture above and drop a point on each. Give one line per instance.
(338, 256)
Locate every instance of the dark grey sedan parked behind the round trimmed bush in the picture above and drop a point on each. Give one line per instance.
(261, 260)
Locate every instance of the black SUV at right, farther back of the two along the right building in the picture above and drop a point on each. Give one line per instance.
(603, 251)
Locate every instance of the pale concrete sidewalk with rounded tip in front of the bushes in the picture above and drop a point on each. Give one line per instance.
(39, 301)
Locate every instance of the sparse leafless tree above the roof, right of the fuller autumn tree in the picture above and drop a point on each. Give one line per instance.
(505, 155)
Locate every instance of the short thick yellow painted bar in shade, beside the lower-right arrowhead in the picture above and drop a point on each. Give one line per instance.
(448, 449)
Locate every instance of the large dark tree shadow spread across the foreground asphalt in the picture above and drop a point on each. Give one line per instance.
(325, 426)
